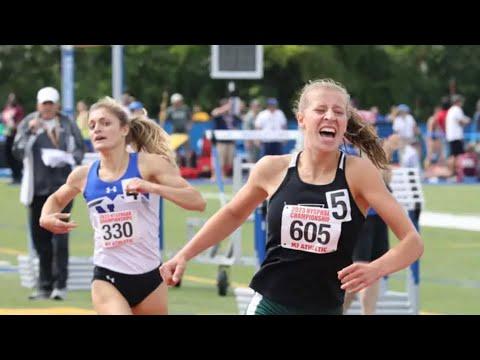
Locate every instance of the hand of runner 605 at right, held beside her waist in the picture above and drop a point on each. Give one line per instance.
(358, 276)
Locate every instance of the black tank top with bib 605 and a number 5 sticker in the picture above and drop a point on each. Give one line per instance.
(311, 233)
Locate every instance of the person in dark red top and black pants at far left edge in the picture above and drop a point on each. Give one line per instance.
(12, 114)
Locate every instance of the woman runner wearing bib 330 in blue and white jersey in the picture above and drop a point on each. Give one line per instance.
(122, 191)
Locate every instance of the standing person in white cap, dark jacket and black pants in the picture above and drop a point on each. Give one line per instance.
(45, 171)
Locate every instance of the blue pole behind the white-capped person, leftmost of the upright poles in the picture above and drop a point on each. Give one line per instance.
(68, 94)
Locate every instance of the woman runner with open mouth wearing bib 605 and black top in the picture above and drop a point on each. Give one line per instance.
(317, 201)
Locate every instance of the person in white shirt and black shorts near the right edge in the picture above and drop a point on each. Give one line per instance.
(454, 124)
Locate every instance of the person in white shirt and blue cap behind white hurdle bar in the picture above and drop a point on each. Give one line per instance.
(271, 119)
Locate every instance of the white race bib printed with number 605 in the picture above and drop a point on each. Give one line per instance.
(310, 228)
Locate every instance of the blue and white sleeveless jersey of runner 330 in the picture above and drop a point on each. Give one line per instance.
(126, 226)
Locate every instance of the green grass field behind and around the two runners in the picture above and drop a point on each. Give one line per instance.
(450, 281)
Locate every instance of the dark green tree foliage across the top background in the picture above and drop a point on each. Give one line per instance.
(380, 75)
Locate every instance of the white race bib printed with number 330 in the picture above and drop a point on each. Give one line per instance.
(117, 228)
